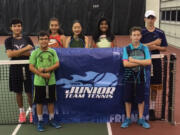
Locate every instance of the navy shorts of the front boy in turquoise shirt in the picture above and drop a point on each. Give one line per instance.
(134, 95)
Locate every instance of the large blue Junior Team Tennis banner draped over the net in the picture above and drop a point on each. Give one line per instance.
(90, 87)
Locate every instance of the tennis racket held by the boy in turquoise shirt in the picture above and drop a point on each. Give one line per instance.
(138, 70)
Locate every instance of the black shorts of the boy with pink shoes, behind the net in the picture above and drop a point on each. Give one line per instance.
(20, 78)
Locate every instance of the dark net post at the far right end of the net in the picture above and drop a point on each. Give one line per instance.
(171, 97)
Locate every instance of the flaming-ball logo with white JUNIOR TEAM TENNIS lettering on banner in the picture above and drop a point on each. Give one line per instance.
(90, 85)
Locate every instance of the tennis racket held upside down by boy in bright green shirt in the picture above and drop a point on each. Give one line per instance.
(45, 60)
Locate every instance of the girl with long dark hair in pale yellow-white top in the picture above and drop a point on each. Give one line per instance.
(103, 38)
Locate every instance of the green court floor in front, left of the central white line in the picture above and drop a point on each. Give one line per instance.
(67, 129)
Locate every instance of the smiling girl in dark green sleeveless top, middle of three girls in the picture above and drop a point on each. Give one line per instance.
(77, 39)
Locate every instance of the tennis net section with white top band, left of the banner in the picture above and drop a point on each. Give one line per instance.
(9, 111)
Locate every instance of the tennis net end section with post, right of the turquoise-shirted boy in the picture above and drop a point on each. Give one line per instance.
(165, 92)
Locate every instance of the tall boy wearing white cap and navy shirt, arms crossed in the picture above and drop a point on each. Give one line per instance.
(155, 39)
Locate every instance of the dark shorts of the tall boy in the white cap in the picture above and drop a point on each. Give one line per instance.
(156, 71)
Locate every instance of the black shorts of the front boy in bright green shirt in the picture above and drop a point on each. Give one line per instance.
(40, 94)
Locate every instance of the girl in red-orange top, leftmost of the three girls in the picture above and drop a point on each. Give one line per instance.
(57, 38)
